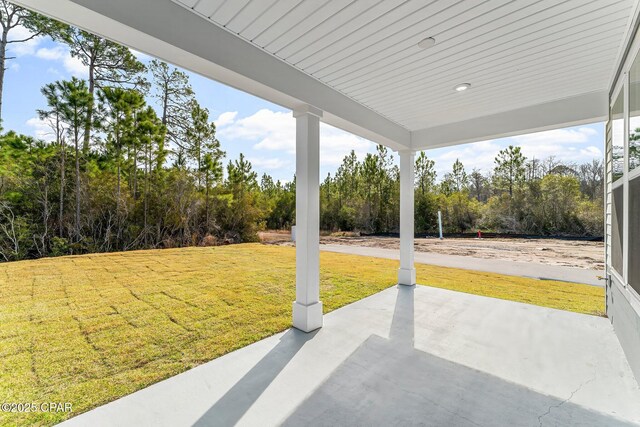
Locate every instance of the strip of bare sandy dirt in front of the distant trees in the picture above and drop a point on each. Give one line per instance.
(569, 253)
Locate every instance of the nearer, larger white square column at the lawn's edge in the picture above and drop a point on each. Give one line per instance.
(307, 308)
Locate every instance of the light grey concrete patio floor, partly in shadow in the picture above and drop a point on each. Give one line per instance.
(405, 356)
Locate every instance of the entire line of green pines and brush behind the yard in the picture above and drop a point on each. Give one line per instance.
(133, 162)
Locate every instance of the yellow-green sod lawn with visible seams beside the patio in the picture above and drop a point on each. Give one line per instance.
(89, 329)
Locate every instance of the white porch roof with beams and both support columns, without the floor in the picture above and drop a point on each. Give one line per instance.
(409, 75)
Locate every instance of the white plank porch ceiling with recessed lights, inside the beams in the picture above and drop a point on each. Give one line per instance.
(514, 53)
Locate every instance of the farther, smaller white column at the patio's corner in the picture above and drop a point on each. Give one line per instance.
(407, 272)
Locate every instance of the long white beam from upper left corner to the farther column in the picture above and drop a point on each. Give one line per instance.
(167, 31)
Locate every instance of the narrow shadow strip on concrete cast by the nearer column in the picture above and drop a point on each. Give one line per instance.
(230, 408)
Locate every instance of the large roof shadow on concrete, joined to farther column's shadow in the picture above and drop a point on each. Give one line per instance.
(388, 382)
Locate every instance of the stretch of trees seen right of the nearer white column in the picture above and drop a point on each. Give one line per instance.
(519, 196)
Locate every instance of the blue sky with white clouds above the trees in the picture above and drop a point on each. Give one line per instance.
(265, 132)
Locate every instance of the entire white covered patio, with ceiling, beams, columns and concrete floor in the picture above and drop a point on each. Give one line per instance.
(410, 75)
